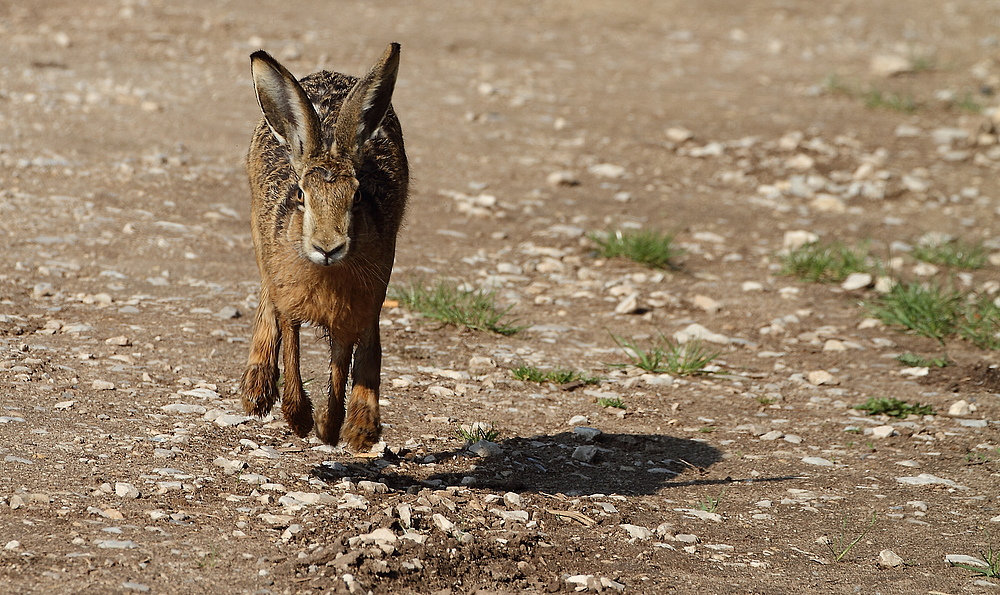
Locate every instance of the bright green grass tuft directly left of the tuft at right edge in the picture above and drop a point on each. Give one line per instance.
(927, 310)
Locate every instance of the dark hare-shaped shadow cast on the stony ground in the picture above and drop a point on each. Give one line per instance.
(565, 463)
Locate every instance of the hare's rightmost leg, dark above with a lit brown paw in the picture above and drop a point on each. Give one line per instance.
(363, 426)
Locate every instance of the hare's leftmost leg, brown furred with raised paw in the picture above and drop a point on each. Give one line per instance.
(259, 384)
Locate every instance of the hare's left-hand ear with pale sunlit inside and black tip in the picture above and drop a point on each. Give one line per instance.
(286, 107)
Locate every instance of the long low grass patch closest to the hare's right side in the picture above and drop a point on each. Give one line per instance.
(444, 301)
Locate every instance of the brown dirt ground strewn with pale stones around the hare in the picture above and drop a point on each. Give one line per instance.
(127, 288)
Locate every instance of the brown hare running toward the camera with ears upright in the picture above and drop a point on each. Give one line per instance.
(328, 179)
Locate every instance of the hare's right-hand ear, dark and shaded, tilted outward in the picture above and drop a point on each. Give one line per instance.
(366, 105)
